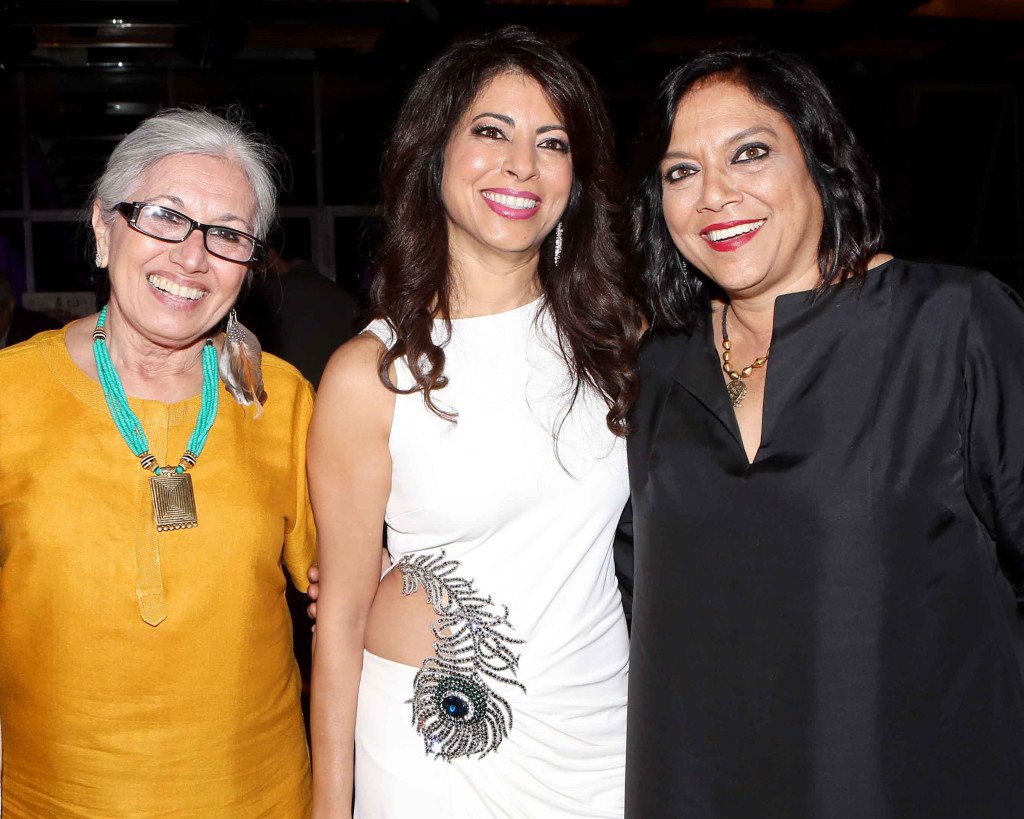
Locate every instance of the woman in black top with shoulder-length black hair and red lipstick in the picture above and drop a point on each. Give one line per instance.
(827, 482)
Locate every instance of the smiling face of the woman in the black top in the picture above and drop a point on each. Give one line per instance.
(739, 199)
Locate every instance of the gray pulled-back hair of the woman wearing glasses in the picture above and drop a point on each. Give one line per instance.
(194, 132)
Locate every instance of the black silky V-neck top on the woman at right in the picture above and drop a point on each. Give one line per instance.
(835, 630)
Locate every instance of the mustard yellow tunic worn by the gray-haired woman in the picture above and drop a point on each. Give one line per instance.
(147, 674)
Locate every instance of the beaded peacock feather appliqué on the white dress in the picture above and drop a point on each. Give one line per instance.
(455, 710)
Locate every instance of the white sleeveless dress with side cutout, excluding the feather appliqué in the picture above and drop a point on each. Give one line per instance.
(530, 522)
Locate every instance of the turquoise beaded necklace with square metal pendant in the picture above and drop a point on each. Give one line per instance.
(174, 499)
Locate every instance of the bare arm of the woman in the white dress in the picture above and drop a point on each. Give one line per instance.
(350, 467)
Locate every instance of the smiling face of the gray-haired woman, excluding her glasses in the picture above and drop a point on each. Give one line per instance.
(175, 294)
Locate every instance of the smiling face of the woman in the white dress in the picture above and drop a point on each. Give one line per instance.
(508, 171)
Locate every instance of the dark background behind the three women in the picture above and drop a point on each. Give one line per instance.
(934, 91)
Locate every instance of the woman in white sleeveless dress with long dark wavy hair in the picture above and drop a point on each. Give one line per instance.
(481, 420)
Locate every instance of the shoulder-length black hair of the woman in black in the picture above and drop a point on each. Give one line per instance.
(674, 292)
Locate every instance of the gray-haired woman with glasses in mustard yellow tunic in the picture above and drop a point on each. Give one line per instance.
(147, 511)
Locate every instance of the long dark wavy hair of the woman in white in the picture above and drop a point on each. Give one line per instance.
(595, 313)
